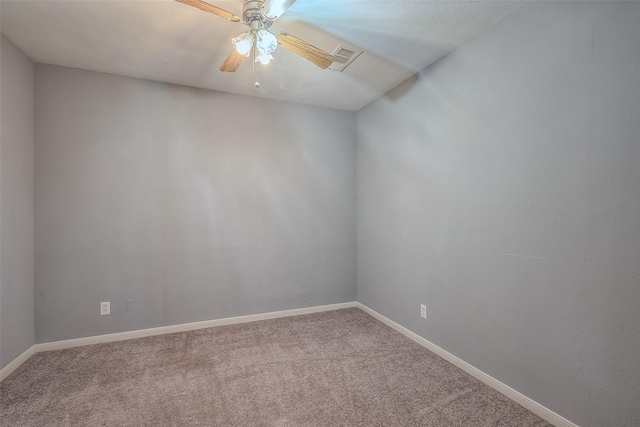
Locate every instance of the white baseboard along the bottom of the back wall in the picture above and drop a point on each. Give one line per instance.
(77, 342)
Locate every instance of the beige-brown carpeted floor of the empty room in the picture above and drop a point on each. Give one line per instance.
(338, 368)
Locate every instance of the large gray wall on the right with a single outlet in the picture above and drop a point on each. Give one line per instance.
(501, 188)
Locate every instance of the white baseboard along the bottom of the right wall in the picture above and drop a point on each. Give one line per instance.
(542, 411)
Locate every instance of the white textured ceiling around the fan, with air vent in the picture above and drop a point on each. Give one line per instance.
(170, 42)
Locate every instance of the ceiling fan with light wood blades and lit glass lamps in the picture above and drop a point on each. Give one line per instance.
(258, 15)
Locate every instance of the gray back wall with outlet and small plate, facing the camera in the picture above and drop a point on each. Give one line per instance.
(195, 204)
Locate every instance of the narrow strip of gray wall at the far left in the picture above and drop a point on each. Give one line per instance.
(16, 202)
